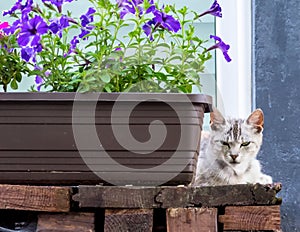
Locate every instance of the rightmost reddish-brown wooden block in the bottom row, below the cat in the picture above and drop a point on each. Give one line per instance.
(251, 218)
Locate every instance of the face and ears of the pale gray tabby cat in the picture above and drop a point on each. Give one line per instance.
(236, 141)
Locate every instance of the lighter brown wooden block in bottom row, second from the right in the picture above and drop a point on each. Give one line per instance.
(192, 220)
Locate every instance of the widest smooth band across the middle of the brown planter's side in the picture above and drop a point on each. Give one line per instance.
(61, 137)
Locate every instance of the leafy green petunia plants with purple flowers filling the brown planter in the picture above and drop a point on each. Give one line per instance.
(159, 51)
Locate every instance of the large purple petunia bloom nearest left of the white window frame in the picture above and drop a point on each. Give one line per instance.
(161, 20)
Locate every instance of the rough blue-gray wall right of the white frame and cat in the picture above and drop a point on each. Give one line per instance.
(276, 70)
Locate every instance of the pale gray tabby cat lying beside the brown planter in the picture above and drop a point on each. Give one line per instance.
(228, 154)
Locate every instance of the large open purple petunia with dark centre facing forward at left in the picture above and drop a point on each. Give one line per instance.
(31, 32)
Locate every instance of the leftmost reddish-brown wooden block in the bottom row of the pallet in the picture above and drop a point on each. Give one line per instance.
(66, 222)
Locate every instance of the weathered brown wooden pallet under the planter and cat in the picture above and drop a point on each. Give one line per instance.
(139, 209)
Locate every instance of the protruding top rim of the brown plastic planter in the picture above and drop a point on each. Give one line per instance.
(70, 96)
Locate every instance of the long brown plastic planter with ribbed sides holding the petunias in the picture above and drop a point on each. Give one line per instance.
(41, 138)
